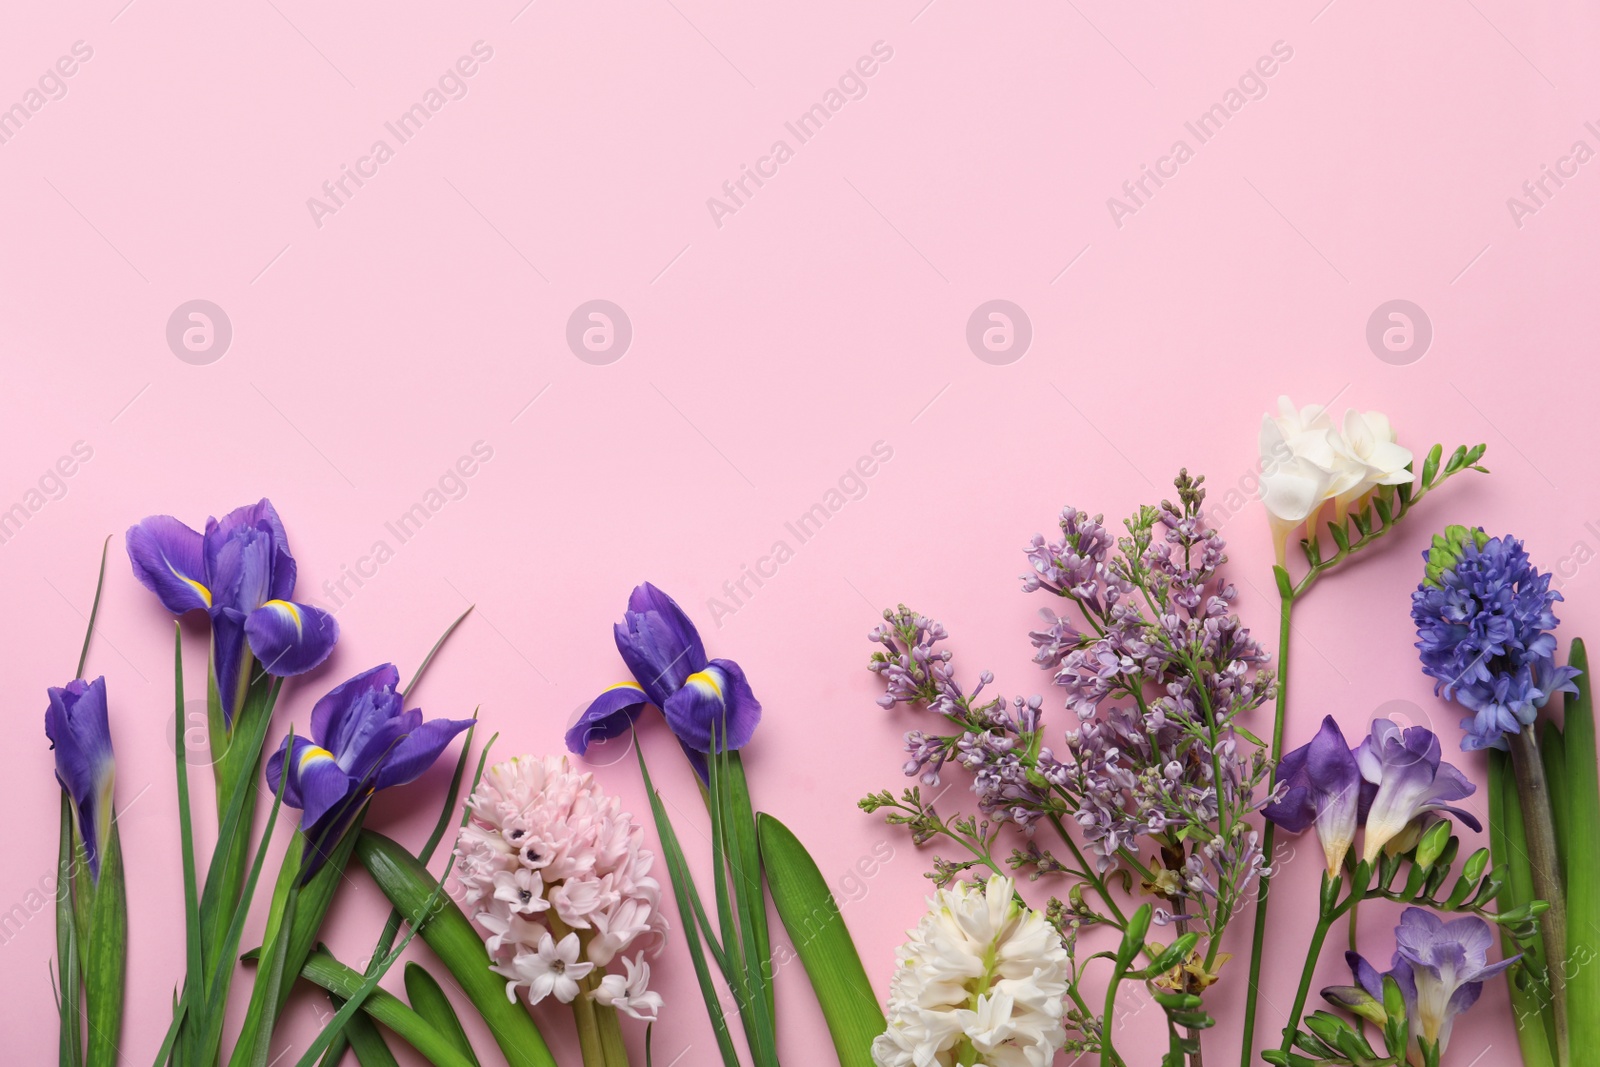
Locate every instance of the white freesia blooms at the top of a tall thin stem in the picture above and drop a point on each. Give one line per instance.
(1310, 462)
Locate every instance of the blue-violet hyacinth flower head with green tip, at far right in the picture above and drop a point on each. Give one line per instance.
(1484, 618)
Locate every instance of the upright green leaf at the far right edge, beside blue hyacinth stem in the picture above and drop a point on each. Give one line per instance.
(1583, 871)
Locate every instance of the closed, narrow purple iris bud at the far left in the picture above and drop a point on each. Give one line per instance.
(79, 730)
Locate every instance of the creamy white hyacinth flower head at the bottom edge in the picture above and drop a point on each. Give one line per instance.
(982, 977)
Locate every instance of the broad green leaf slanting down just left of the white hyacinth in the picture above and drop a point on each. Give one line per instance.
(809, 913)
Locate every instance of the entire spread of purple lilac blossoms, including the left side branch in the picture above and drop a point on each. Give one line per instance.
(1158, 671)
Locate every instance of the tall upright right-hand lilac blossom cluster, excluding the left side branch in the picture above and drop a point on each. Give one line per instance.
(1158, 671)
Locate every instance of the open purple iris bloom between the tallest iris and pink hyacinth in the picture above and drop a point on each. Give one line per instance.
(361, 741)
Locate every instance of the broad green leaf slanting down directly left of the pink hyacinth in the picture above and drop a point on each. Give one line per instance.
(409, 887)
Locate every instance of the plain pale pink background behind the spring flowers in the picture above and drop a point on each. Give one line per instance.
(769, 354)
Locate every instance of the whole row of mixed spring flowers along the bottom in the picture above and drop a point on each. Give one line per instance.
(1111, 834)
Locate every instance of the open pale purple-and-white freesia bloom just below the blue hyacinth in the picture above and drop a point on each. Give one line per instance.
(1404, 780)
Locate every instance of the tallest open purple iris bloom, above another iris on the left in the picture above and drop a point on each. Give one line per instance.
(241, 573)
